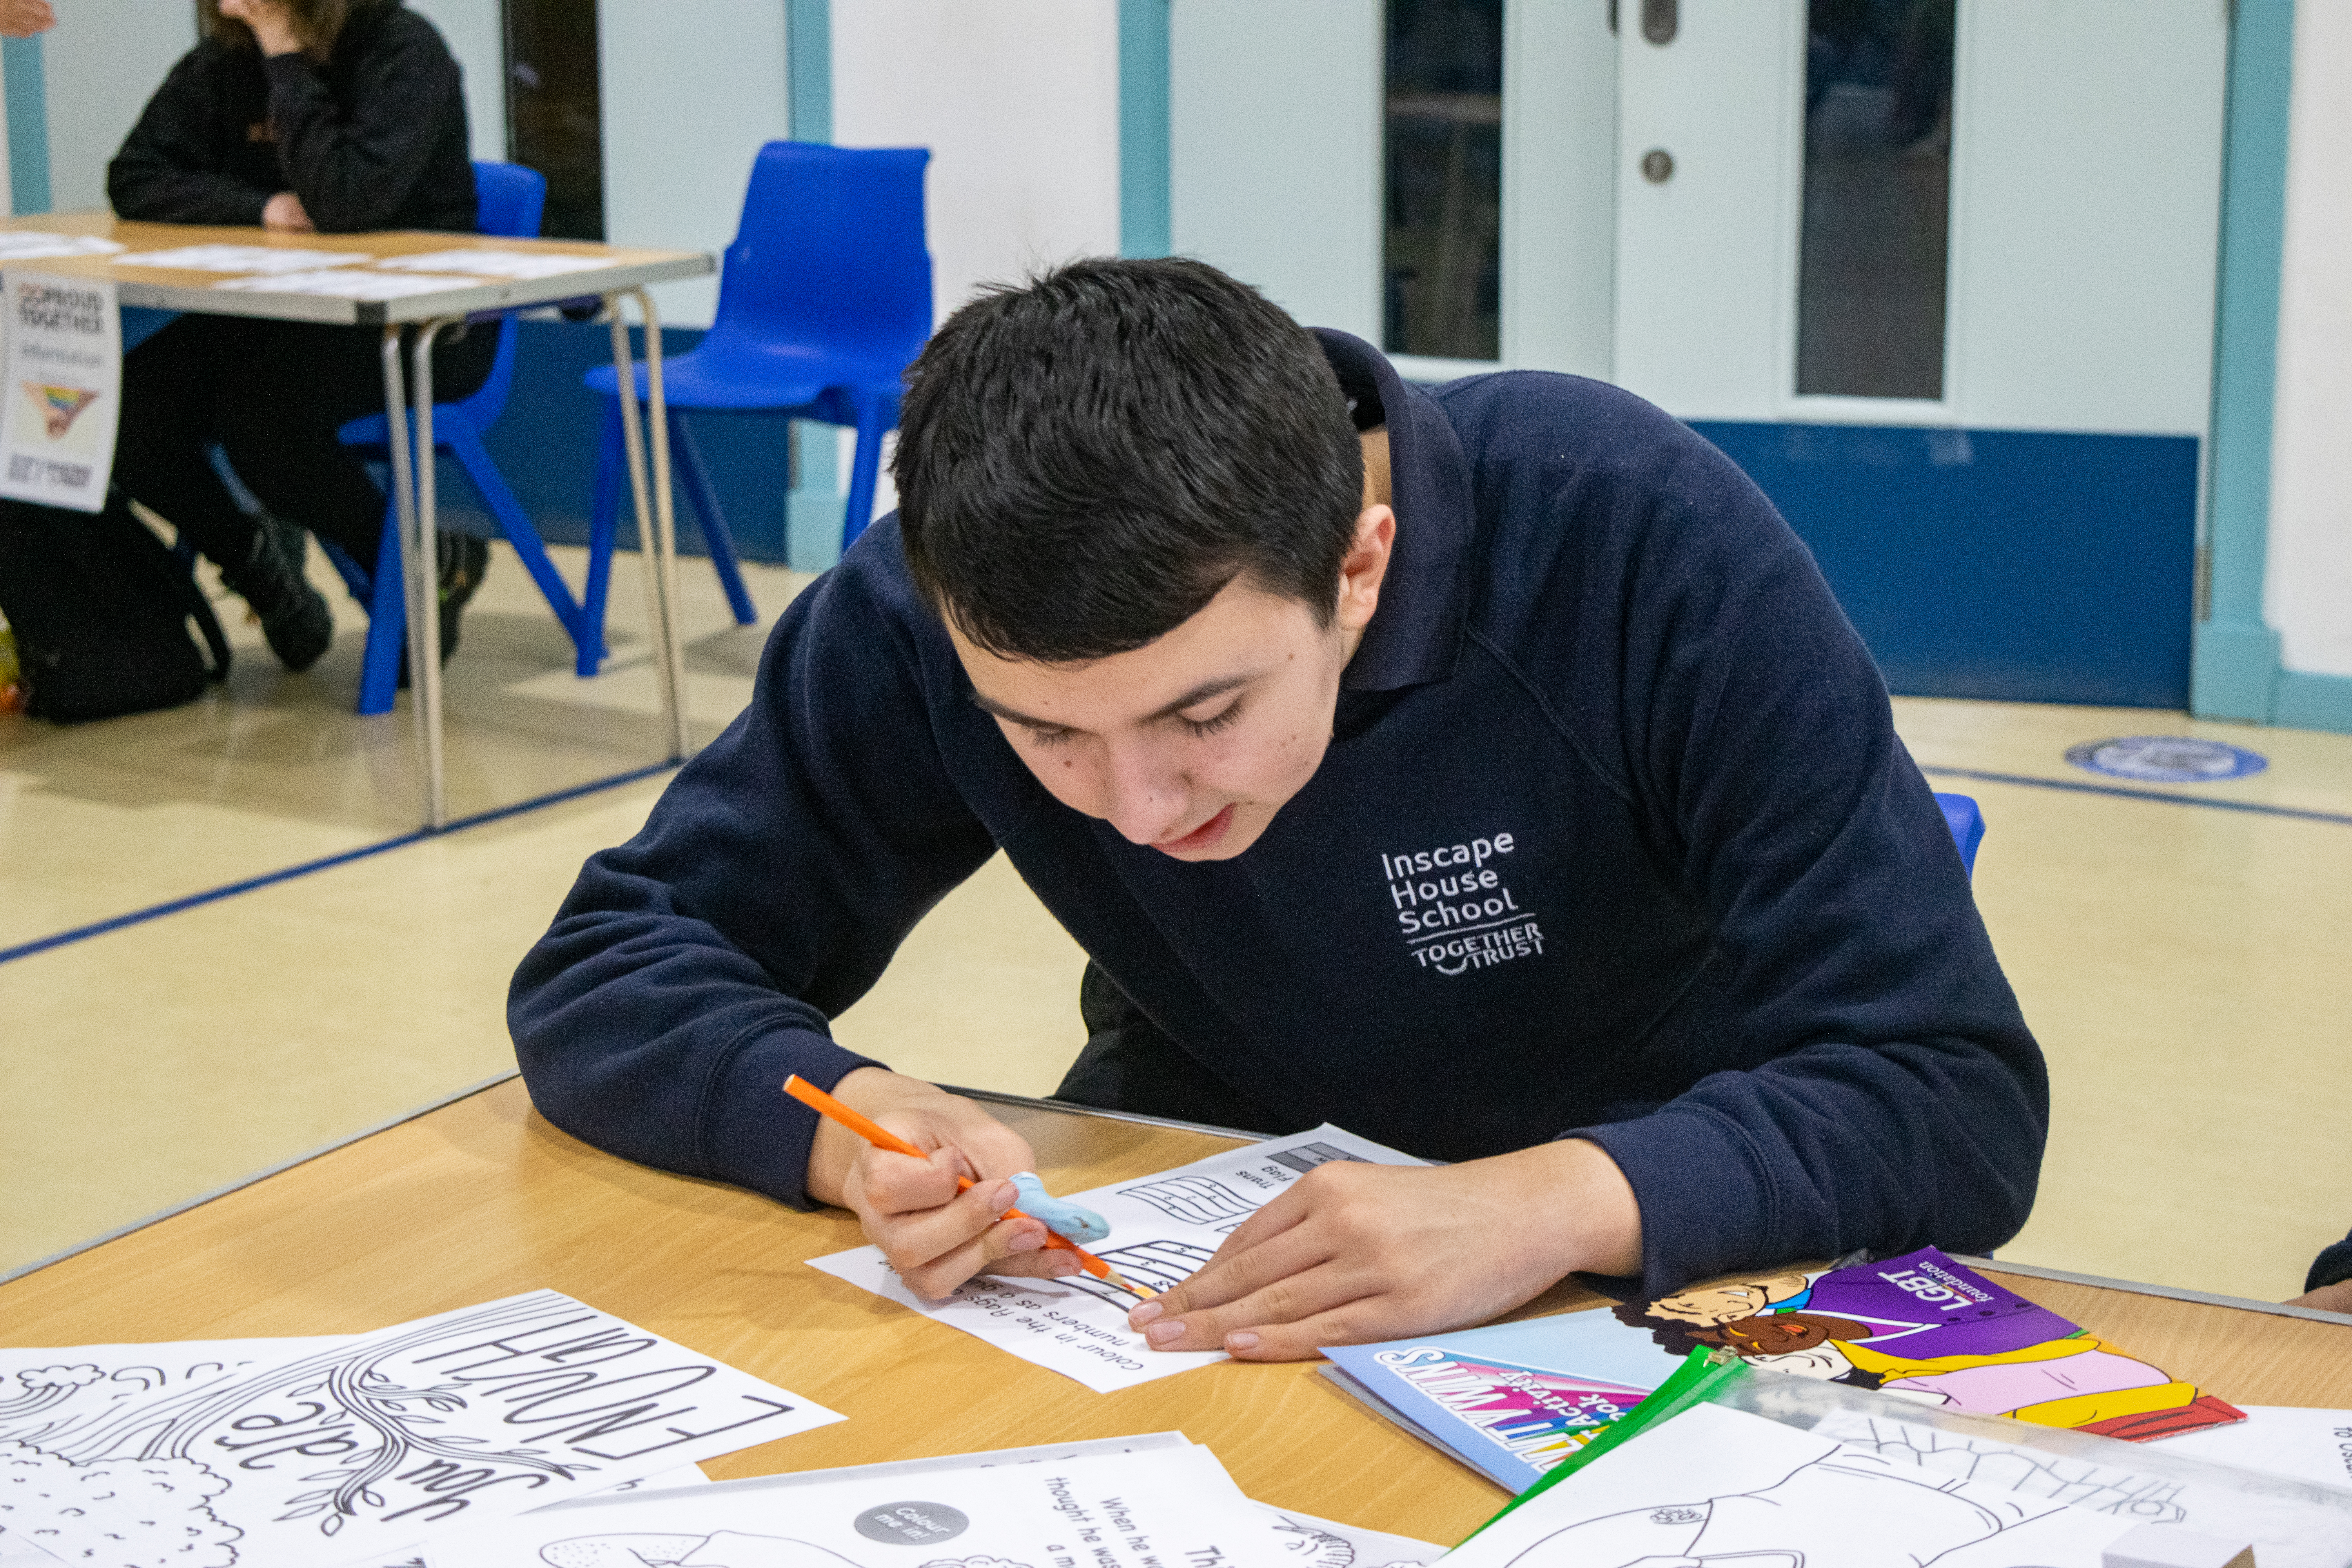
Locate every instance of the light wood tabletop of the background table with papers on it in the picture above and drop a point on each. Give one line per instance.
(620, 267)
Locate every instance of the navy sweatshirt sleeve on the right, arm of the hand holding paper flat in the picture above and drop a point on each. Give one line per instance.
(1890, 1094)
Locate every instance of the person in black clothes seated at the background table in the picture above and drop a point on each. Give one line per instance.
(328, 116)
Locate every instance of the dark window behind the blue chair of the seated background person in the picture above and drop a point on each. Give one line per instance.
(554, 109)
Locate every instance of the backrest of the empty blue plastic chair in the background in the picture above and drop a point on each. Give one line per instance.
(831, 253)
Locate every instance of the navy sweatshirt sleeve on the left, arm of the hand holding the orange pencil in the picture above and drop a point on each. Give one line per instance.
(695, 967)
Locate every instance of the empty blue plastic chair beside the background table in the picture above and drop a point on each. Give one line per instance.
(824, 300)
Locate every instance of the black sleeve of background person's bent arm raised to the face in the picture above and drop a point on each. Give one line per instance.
(359, 168)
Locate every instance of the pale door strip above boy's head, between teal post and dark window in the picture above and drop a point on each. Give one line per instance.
(1276, 152)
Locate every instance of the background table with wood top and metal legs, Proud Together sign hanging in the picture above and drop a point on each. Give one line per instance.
(413, 323)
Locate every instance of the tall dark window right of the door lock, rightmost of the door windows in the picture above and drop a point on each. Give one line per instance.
(1878, 199)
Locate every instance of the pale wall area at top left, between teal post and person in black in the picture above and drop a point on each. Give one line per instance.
(100, 67)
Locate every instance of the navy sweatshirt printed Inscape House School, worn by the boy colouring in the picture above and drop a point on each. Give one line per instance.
(1615, 840)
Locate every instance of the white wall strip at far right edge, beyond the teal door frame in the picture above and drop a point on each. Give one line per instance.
(2308, 591)
